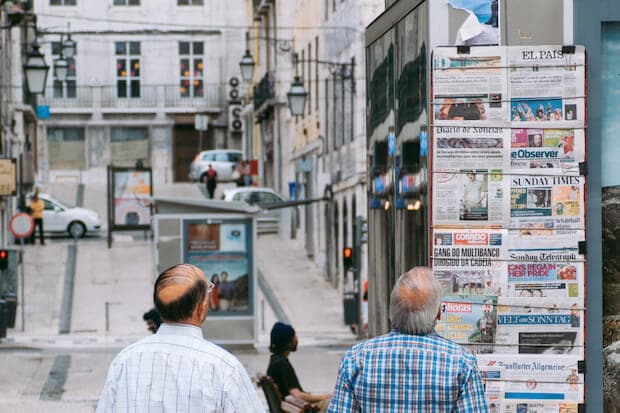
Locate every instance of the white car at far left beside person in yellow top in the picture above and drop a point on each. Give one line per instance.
(58, 217)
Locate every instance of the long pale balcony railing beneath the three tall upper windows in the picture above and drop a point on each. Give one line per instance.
(159, 97)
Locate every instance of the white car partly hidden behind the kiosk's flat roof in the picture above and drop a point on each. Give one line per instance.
(268, 220)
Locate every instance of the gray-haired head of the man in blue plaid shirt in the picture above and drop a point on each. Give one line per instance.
(414, 301)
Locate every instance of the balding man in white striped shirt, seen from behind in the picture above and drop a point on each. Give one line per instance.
(176, 369)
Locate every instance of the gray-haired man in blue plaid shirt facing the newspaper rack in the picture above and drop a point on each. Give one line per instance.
(410, 369)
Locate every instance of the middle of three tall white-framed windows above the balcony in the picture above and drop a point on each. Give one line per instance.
(128, 69)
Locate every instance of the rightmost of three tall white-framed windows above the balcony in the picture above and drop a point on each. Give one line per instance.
(191, 55)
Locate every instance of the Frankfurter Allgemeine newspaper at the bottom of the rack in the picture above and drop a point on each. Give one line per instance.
(530, 379)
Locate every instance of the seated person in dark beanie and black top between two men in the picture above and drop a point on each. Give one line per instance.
(283, 342)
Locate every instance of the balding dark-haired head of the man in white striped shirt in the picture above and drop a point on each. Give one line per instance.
(178, 292)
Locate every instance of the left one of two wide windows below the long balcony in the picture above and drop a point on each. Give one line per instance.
(66, 148)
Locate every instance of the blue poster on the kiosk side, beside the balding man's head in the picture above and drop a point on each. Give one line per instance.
(221, 251)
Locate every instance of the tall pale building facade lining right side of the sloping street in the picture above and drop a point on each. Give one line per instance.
(326, 147)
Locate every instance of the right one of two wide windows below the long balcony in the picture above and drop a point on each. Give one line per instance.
(129, 145)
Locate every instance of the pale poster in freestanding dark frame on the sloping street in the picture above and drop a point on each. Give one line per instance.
(132, 197)
